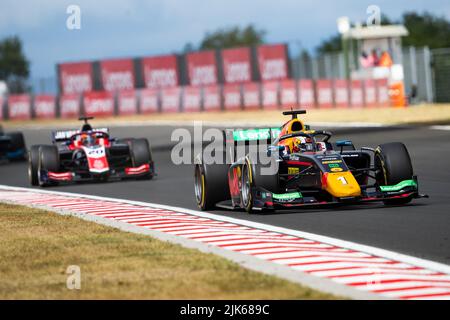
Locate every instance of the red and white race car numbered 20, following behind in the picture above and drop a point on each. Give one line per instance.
(89, 155)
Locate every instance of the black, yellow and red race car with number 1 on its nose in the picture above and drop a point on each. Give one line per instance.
(294, 166)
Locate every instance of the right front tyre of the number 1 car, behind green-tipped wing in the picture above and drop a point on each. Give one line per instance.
(393, 165)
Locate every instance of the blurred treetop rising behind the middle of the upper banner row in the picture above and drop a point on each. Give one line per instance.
(232, 37)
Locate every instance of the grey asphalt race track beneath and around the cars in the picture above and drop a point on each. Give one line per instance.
(421, 229)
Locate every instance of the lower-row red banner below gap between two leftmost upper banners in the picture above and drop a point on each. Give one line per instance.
(98, 103)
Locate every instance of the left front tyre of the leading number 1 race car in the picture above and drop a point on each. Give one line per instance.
(253, 176)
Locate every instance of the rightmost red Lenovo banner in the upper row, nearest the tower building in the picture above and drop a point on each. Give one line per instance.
(272, 62)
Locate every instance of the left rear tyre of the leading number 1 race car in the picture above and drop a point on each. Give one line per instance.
(211, 185)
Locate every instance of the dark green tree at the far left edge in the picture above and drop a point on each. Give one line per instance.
(14, 67)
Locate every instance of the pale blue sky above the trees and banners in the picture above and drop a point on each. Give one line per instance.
(131, 28)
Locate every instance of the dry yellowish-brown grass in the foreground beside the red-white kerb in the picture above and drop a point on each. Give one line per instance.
(37, 246)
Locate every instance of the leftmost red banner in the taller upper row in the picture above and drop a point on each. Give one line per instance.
(76, 77)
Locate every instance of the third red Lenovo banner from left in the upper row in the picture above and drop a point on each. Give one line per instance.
(160, 72)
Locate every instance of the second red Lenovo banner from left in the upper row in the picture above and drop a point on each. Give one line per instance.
(117, 74)
